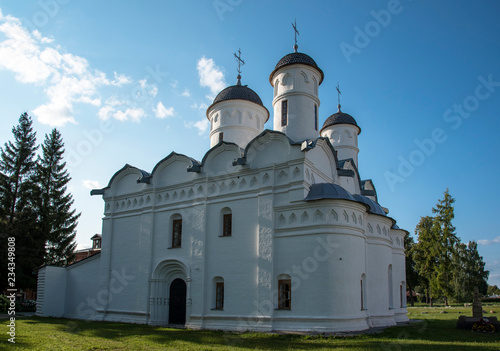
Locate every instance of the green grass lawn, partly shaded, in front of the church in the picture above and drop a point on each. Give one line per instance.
(437, 331)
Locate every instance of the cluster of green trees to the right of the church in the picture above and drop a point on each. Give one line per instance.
(439, 265)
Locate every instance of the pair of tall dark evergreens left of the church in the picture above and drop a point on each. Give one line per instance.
(35, 206)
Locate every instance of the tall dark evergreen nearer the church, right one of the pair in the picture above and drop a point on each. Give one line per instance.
(58, 220)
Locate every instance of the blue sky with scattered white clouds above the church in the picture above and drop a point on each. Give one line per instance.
(129, 82)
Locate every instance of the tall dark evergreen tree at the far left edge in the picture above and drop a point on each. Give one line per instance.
(17, 209)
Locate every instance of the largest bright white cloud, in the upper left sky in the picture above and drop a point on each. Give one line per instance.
(67, 79)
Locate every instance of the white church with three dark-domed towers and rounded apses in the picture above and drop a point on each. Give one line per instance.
(273, 230)
